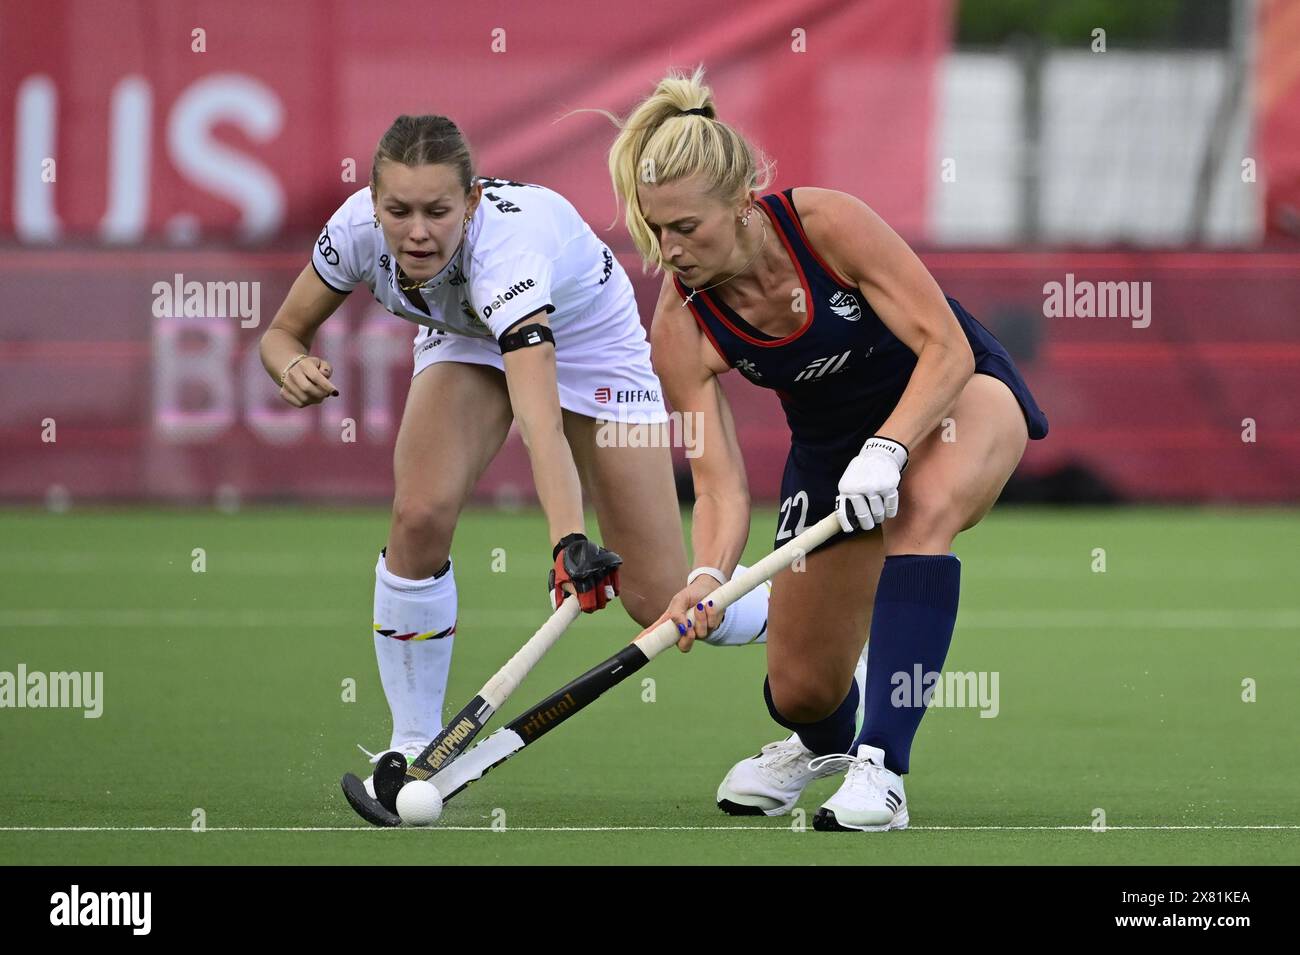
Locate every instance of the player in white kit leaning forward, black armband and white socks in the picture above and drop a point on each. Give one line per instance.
(523, 315)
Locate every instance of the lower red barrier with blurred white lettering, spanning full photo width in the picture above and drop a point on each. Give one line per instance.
(1194, 401)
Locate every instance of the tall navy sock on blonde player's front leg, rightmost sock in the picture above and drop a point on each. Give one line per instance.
(912, 628)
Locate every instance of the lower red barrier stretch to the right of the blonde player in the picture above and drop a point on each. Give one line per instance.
(1191, 398)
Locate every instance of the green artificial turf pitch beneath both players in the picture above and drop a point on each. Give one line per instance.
(224, 692)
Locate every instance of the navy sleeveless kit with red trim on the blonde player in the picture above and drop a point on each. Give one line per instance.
(839, 376)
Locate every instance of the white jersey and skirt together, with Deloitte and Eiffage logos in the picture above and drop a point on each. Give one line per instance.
(526, 249)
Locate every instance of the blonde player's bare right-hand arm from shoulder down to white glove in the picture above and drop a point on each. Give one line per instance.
(857, 244)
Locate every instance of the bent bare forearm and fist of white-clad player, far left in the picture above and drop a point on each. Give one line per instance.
(292, 332)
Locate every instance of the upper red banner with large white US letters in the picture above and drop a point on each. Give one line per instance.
(154, 119)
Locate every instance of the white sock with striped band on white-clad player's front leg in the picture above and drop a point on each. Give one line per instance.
(414, 671)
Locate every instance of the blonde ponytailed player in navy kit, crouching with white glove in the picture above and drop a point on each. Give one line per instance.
(811, 294)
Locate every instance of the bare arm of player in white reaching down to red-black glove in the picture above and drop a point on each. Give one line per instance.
(535, 397)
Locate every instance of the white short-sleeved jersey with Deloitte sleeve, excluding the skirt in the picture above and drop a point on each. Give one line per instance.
(526, 250)
